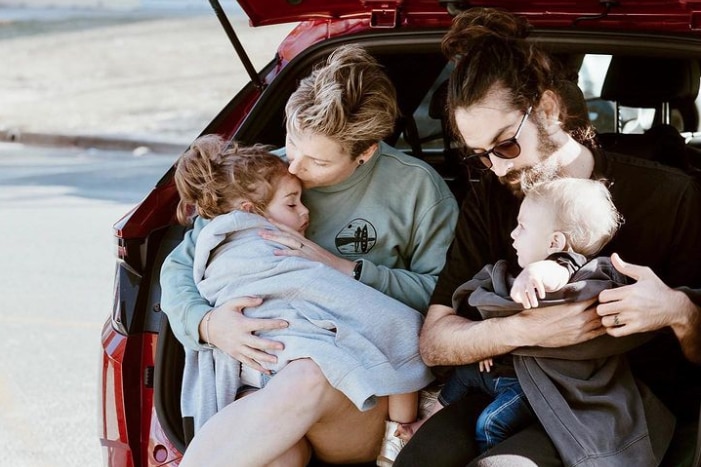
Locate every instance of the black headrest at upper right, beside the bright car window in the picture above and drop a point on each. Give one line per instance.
(647, 82)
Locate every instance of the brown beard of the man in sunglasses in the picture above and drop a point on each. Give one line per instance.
(547, 168)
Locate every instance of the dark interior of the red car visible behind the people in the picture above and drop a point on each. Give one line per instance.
(640, 105)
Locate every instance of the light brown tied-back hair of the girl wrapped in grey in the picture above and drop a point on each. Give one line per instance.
(214, 177)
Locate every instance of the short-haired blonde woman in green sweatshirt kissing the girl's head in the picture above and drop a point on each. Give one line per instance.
(377, 215)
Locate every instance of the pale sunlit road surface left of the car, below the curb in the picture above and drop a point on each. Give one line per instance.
(57, 207)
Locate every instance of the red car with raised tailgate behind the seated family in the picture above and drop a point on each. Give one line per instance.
(638, 65)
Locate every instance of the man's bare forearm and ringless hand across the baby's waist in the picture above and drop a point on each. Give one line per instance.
(449, 339)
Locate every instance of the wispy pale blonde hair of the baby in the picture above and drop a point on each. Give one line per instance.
(584, 211)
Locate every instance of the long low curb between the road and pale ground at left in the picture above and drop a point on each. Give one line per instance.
(87, 141)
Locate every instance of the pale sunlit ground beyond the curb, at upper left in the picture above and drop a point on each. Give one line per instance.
(121, 79)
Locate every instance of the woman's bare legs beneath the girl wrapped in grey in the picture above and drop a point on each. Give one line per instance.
(260, 428)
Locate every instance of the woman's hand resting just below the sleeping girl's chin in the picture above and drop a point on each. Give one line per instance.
(304, 248)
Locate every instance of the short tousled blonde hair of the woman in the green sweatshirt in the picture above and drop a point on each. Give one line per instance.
(349, 99)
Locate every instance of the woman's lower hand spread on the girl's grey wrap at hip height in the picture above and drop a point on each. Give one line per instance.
(233, 333)
